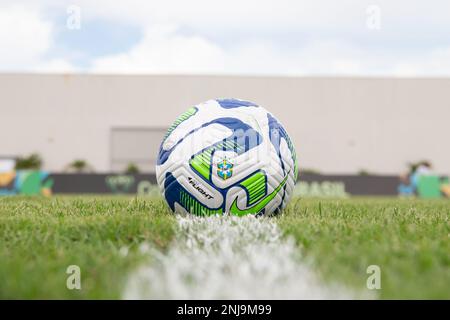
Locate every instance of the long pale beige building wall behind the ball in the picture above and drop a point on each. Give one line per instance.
(339, 125)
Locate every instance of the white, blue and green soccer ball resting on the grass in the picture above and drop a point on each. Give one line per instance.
(227, 156)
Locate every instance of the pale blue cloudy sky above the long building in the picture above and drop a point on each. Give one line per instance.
(239, 37)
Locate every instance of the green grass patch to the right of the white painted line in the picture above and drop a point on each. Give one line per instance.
(408, 239)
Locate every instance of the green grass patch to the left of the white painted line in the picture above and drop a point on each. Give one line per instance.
(40, 238)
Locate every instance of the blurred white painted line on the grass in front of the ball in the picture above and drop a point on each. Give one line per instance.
(228, 258)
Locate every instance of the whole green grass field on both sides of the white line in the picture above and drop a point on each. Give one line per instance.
(40, 237)
